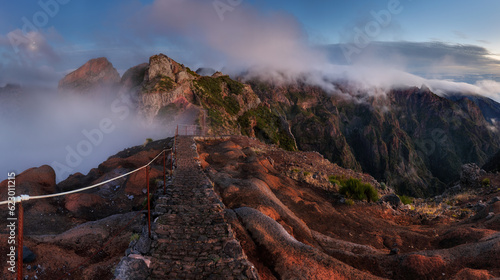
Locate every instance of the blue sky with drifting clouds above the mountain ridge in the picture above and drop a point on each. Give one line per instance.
(129, 31)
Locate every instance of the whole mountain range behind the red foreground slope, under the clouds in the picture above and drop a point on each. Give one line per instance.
(407, 137)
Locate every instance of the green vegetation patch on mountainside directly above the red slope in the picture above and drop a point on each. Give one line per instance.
(268, 127)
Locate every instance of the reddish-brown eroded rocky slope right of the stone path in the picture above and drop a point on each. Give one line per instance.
(282, 218)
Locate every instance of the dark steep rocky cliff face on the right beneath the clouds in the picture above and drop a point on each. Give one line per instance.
(408, 137)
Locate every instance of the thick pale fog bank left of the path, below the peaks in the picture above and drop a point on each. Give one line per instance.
(70, 133)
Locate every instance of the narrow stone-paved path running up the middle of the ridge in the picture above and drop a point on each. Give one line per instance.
(192, 240)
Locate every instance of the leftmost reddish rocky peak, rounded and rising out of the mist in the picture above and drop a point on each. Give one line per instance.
(96, 73)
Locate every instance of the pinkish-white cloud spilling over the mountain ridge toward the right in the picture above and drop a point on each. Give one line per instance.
(274, 46)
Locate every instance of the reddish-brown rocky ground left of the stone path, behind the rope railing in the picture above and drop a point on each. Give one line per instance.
(83, 235)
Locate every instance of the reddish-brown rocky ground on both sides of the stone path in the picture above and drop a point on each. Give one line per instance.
(285, 209)
